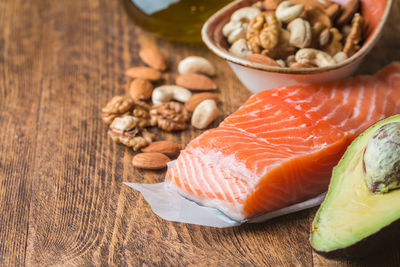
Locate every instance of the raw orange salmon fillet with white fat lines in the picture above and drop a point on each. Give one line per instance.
(279, 148)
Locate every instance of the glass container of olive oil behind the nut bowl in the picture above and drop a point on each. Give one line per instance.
(179, 20)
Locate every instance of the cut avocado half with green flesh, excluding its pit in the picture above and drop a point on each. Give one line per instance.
(352, 221)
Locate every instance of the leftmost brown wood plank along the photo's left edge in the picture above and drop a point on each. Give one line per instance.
(19, 105)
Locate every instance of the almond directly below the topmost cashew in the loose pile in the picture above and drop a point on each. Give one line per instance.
(194, 81)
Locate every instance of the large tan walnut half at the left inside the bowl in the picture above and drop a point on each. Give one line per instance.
(263, 32)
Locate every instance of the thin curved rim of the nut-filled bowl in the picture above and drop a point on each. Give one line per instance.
(258, 66)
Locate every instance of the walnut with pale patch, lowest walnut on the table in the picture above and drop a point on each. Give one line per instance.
(126, 130)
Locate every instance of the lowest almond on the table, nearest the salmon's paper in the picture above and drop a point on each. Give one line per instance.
(150, 161)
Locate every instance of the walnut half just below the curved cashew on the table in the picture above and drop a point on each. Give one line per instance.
(170, 116)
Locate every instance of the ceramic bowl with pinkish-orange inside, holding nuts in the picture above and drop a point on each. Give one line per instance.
(257, 77)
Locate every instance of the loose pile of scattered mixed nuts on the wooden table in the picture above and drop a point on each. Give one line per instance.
(172, 107)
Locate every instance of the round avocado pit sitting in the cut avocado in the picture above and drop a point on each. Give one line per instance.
(381, 161)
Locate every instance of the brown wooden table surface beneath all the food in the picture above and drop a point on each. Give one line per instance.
(62, 201)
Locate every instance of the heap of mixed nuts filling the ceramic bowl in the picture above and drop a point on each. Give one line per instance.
(296, 33)
